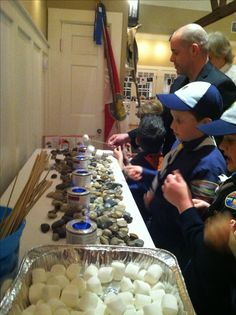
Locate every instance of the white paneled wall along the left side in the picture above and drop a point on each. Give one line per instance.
(23, 88)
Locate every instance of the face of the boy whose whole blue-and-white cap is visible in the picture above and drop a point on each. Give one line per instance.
(184, 125)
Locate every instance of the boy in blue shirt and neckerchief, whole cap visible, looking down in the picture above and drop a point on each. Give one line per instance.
(195, 155)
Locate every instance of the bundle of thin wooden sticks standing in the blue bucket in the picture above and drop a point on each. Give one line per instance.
(33, 190)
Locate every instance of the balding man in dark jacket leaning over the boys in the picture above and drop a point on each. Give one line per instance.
(189, 46)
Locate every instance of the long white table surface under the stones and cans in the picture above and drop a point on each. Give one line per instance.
(32, 235)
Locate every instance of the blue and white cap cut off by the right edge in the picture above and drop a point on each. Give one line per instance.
(226, 125)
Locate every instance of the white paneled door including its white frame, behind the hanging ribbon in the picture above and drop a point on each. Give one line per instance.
(76, 94)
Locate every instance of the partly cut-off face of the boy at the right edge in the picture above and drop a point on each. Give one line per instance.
(228, 145)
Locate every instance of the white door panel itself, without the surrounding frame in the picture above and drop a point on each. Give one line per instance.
(82, 81)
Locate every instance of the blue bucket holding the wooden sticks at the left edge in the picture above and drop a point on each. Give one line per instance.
(9, 249)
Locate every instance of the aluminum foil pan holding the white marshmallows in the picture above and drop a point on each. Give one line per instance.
(15, 300)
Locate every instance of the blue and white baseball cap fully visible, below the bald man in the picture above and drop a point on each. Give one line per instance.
(200, 97)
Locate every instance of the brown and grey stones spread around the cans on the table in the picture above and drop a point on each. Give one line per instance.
(106, 208)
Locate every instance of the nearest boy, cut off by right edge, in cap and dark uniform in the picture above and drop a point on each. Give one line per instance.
(211, 273)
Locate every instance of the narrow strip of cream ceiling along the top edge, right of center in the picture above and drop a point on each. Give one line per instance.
(201, 5)
